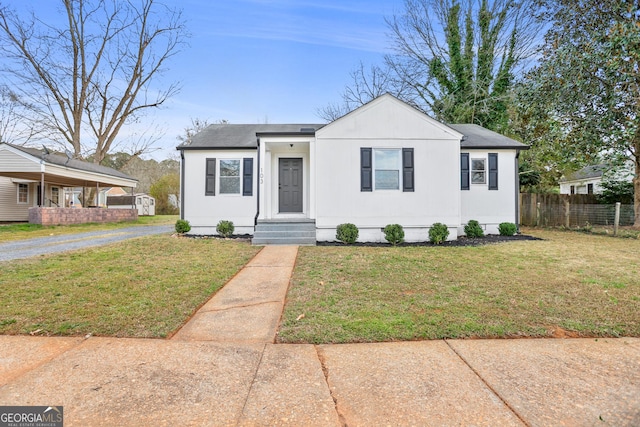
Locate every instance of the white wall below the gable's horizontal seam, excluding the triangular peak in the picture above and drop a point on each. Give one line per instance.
(339, 199)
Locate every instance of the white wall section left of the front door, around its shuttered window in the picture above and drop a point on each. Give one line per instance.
(204, 212)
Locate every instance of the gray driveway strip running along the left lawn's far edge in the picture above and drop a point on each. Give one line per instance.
(54, 244)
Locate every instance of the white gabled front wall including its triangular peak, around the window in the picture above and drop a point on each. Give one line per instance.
(386, 125)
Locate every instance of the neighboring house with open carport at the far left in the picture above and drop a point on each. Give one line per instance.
(36, 178)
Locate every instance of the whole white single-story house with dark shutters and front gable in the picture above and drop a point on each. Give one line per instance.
(384, 163)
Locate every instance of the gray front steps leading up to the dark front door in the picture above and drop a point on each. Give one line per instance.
(285, 232)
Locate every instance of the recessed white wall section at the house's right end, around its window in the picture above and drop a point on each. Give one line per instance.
(491, 207)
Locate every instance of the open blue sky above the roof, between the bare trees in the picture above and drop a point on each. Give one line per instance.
(275, 61)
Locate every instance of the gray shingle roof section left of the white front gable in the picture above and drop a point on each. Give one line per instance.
(241, 135)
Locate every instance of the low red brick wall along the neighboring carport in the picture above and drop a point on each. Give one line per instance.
(65, 216)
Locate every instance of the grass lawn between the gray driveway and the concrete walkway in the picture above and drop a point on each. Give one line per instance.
(144, 287)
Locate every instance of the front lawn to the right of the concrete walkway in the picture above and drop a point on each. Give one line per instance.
(570, 284)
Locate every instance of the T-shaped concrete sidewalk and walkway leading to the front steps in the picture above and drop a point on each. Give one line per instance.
(222, 368)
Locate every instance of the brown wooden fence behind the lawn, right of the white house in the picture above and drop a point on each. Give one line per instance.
(576, 210)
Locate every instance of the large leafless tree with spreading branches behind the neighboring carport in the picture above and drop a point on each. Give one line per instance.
(87, 78)
